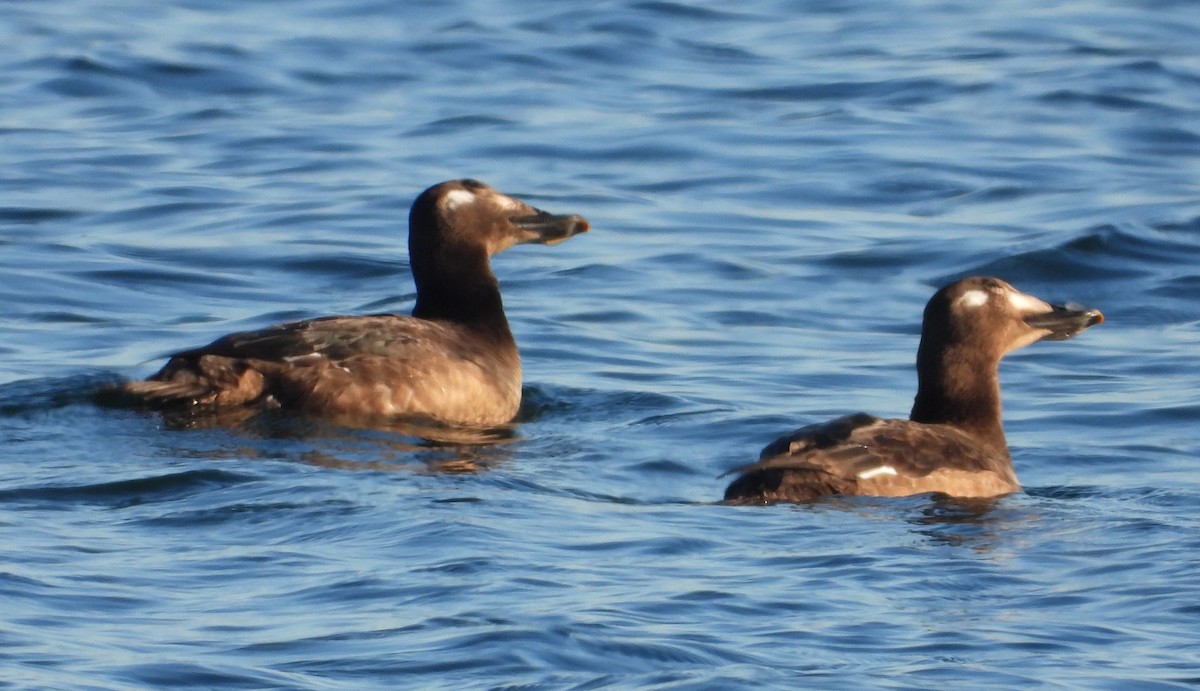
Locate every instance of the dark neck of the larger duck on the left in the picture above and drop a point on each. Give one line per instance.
(458, 285)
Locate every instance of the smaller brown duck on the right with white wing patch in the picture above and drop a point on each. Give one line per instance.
(955, 441)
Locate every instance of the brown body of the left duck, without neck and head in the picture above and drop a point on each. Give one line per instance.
(377, 366)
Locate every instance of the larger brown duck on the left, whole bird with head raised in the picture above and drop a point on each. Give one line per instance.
(453, 362)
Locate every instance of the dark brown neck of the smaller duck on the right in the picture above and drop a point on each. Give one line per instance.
(961, 388)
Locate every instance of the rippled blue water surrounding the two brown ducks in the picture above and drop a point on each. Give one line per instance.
(776, 189)
